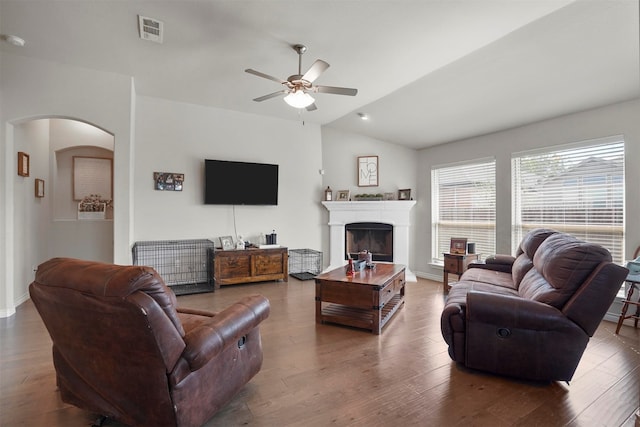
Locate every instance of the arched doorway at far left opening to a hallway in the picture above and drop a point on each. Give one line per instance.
(46, 224)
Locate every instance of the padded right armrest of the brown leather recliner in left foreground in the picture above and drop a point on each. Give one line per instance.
(226, 328)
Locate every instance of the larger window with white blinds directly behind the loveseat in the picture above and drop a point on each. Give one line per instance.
(577, 189)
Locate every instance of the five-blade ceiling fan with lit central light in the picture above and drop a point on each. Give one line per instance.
(298, 86)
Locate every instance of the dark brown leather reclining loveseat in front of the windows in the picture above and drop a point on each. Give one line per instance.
(531, 316)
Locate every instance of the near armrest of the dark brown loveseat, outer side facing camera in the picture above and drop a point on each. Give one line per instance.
(523, 338)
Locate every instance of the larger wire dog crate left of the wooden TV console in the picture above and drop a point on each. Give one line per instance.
(184, 265)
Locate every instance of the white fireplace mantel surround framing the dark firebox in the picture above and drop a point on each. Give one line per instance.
(393, 212)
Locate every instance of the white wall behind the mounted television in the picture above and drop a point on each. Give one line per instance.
(177, 137)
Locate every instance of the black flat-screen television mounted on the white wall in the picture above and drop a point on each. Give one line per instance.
(240, 183)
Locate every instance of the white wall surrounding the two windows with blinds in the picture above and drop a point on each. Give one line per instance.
(618, 119)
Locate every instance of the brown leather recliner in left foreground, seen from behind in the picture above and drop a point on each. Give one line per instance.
(122, 349)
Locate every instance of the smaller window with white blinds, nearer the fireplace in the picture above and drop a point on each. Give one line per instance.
(464, 205)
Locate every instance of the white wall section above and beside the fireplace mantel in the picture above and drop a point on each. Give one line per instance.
(397, 169)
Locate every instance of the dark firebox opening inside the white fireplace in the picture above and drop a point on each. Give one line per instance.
(374, 237)
